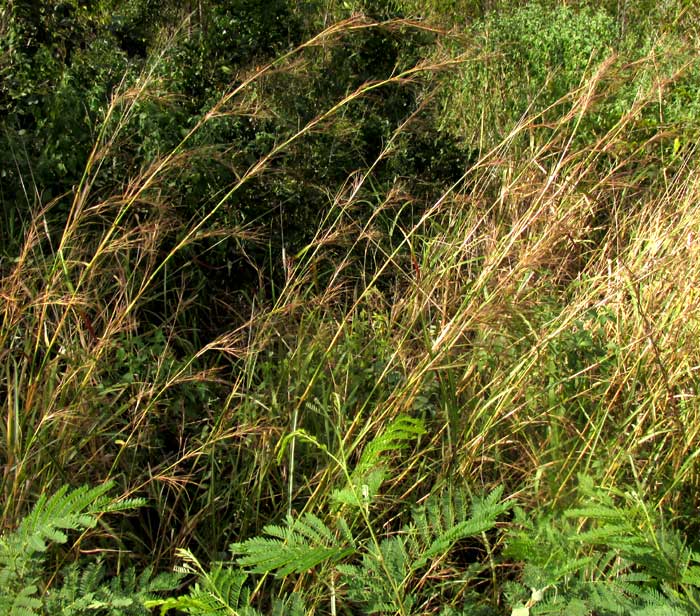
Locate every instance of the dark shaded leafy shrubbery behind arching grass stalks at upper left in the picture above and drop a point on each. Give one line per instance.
(59, 105)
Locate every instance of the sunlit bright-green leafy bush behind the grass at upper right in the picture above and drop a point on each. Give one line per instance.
(538, 54)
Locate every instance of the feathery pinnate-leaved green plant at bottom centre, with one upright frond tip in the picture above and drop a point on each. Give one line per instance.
(373, 575)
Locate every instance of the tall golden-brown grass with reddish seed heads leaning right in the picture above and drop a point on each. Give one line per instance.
(541, 316)
